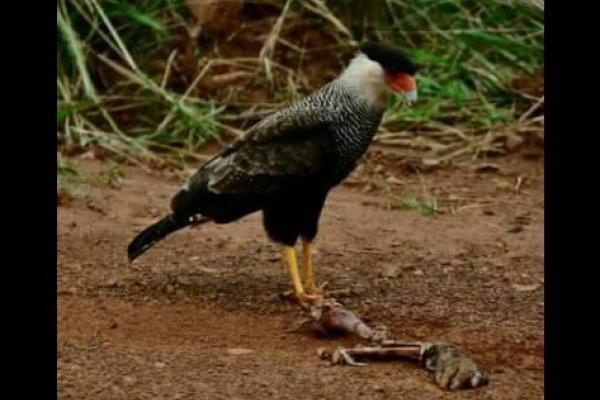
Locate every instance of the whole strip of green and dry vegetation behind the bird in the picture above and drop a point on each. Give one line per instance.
(134, 77)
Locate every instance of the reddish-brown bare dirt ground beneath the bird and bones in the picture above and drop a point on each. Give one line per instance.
(198, 316)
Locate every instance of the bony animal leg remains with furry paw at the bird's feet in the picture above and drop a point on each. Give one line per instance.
(451, 367)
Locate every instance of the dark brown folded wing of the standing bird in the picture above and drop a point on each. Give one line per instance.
(291, 147)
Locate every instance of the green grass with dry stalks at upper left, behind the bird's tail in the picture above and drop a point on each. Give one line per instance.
(123, 38)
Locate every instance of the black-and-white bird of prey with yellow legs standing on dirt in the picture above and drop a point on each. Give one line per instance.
(286, 164)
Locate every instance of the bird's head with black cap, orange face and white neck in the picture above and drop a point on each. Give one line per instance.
(380, 68)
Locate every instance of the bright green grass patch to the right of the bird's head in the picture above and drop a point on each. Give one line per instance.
(469, 51)
